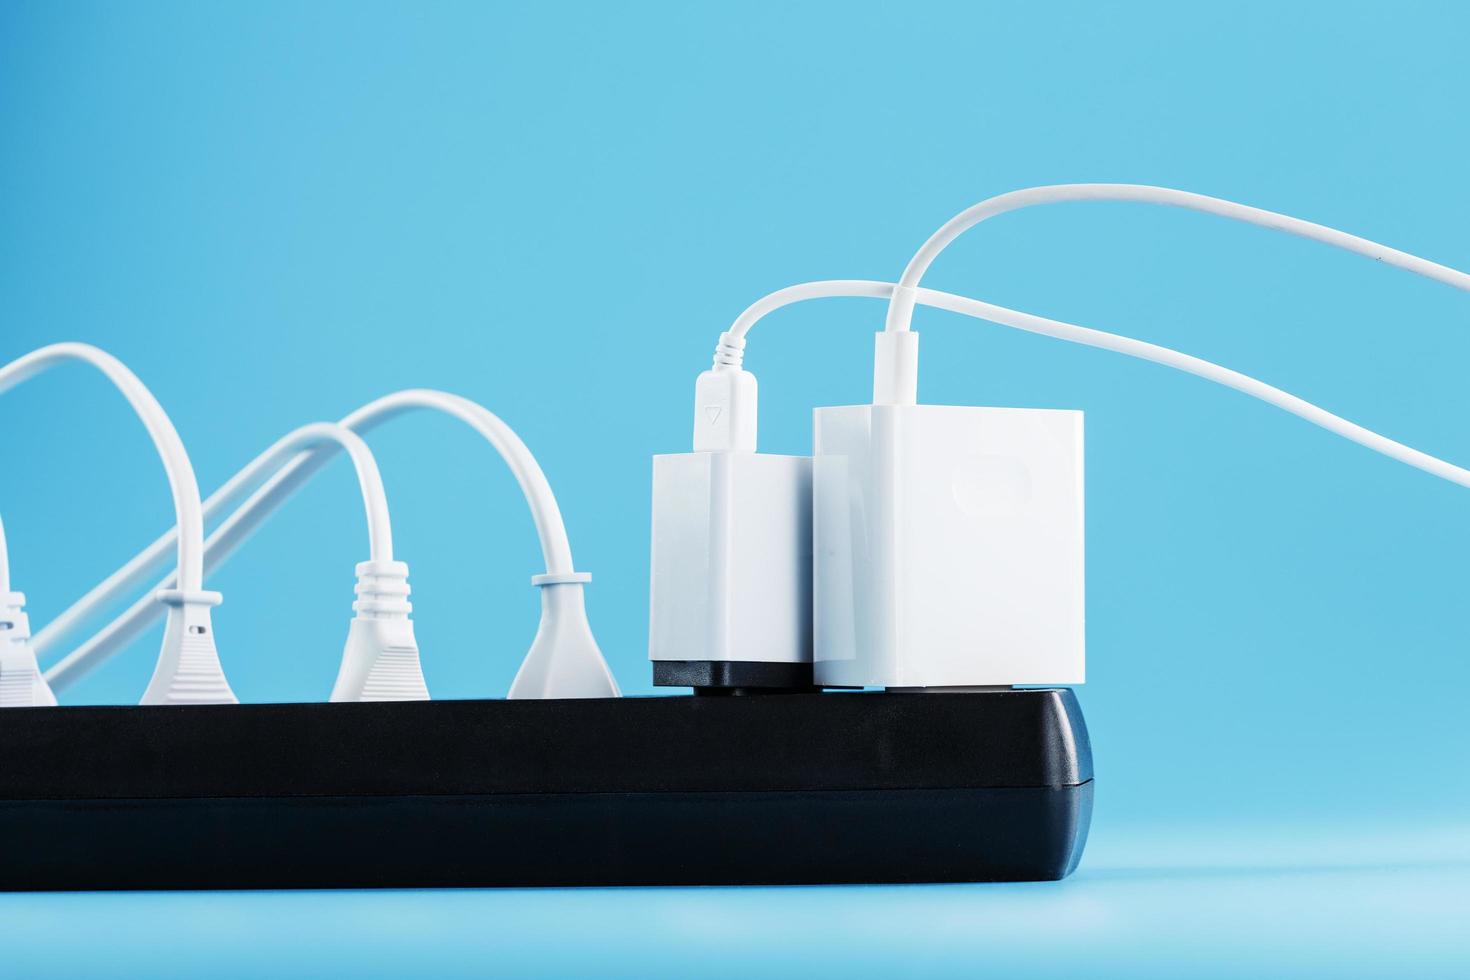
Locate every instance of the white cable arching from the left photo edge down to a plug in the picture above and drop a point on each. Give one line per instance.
(187, 509)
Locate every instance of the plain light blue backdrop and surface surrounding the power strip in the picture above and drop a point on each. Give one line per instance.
(276, 214)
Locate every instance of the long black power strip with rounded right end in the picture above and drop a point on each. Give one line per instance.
(774, 790)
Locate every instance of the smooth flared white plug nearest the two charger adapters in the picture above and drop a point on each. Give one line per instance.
(564, 660)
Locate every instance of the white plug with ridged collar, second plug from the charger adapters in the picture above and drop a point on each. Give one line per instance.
(381, 659)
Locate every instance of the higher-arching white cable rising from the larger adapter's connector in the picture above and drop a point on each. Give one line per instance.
(900, 308)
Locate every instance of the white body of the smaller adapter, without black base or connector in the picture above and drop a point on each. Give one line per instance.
(731, 559)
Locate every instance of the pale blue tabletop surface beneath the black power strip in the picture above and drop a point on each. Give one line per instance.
(1208, 903)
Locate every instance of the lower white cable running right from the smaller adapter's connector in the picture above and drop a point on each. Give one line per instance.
(1119, 345)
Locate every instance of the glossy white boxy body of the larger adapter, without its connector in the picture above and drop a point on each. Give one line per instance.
(949, 547)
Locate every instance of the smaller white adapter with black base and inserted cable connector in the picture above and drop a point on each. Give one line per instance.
(731, 571)
